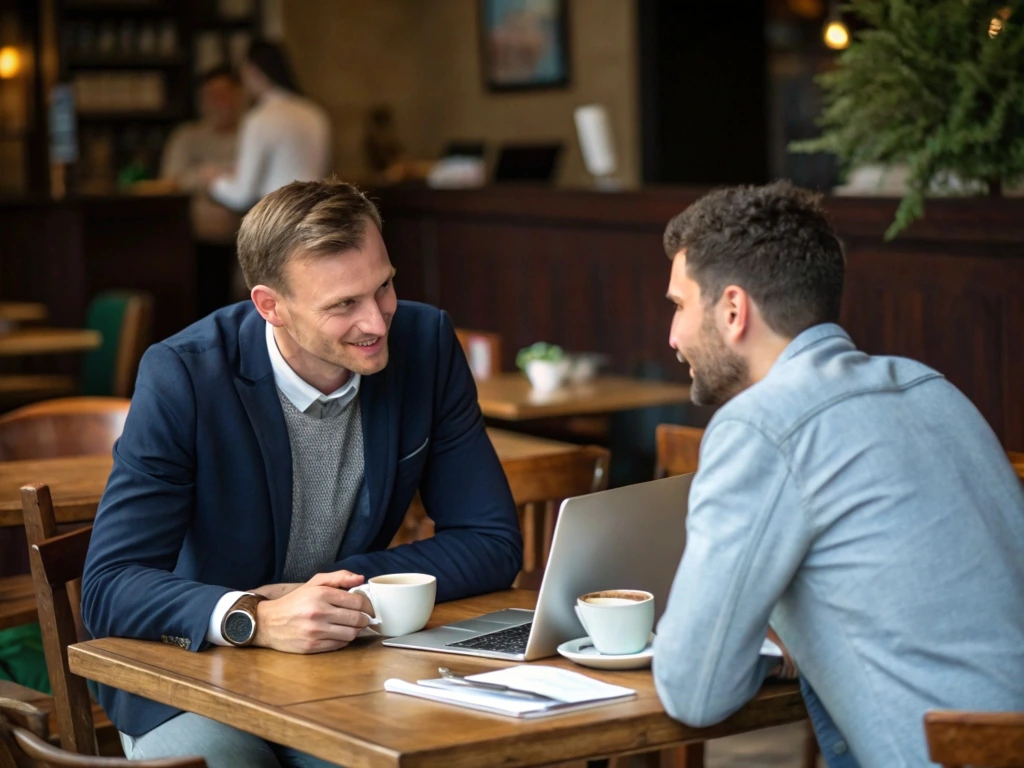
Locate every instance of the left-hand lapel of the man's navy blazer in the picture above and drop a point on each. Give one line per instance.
(259, 393)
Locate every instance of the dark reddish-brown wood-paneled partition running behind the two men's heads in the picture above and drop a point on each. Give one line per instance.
(587, 271)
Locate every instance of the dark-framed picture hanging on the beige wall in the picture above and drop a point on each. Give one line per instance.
(525, 45)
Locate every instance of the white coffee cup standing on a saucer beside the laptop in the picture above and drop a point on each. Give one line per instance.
(619, 622)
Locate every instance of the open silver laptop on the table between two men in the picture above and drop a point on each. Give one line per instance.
(630, 538)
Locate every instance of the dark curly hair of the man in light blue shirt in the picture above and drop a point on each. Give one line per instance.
(775, 242)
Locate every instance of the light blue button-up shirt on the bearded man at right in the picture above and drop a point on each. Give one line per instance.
(866, 508)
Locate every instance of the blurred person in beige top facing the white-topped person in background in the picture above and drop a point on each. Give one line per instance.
(194, 152)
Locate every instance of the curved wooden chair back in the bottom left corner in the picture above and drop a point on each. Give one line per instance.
(23, 745)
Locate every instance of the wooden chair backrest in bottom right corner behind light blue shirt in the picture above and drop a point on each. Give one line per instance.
(986, 740)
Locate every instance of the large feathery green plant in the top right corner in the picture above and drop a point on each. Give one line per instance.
(935, 84)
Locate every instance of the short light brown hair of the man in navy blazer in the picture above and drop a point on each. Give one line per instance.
(320, 219)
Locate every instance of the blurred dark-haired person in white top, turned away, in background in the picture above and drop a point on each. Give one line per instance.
(285, 138)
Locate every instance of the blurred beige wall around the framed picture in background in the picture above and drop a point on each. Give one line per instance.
(422, 58)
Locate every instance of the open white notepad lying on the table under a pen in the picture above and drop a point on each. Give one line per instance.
(571, 692)
